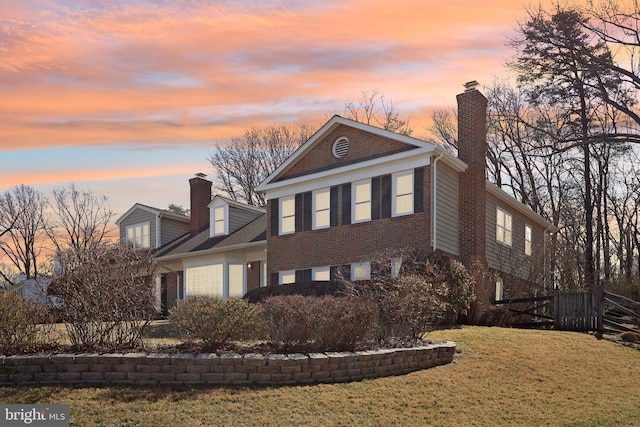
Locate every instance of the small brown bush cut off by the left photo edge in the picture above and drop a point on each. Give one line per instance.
(22, 324)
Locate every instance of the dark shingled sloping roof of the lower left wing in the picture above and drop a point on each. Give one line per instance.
(199, 243)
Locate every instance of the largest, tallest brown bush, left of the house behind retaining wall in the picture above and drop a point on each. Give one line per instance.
(106, 296)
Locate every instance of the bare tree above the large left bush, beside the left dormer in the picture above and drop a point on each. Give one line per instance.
(81, 219)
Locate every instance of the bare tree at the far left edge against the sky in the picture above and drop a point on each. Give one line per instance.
(22, 215)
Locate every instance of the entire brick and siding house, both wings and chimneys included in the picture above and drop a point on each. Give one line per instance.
(348, 193)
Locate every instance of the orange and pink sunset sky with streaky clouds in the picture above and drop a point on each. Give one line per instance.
(128, 98)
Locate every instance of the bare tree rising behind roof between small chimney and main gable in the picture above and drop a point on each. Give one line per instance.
(244, 162)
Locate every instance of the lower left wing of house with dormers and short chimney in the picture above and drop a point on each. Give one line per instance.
(220, 250)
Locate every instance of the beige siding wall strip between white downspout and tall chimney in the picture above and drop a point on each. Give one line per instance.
(447, 210)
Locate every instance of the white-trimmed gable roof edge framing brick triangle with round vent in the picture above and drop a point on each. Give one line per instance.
(416, 147)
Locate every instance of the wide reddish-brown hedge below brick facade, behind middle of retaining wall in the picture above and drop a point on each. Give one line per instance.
(305, 323)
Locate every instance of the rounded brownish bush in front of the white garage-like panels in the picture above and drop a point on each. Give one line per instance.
(215, 321)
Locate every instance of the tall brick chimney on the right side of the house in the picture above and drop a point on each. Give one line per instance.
(472, 149)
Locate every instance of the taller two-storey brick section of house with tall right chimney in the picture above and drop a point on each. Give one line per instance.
(354, 190)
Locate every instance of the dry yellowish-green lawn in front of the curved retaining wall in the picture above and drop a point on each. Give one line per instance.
(500, 377)
